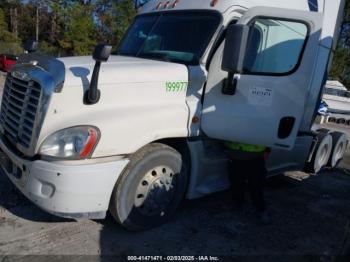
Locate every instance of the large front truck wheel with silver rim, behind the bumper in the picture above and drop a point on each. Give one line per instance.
(150, 188)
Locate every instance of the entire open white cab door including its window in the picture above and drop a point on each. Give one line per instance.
(265, 100)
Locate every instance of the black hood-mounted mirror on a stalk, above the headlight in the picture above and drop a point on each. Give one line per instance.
(101, 54)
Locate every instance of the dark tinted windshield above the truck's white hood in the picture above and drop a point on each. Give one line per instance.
(175, 37)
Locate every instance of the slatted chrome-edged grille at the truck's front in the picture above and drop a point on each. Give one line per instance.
(19, 109)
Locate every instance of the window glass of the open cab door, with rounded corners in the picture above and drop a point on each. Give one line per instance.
(276, 46)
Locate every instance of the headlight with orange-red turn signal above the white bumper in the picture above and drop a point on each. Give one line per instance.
(73, 143)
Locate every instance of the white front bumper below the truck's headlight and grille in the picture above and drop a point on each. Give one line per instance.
(74, 189)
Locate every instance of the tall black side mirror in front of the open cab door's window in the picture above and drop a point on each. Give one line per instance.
(237, 38)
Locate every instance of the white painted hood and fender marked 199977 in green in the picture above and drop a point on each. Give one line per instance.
(135, 108)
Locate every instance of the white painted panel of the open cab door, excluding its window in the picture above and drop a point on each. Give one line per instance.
(255, 119)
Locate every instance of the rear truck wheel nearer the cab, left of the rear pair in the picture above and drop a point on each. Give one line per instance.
(321, 153)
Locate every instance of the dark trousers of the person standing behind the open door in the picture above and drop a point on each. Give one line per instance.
(248, 174)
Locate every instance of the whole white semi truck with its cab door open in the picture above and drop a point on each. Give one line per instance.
(137, 133)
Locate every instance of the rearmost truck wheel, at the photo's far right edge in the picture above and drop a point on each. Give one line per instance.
(338, 150)
